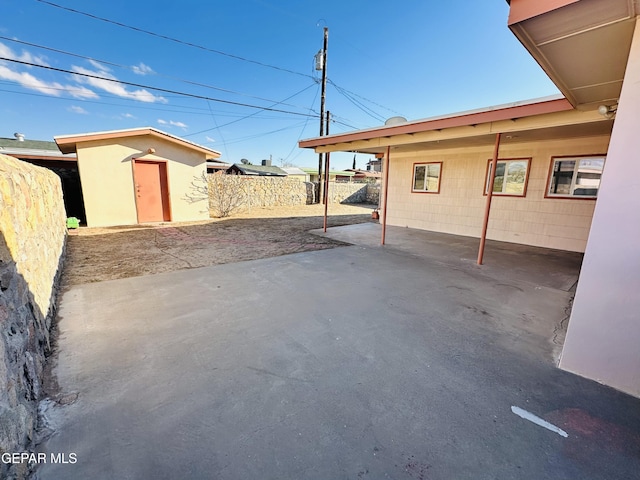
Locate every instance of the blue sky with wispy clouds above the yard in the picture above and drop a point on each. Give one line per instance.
(416, 58)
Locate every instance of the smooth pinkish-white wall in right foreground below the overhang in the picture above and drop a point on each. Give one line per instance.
(604, 329)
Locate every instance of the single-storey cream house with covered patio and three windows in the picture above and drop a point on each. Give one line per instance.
(565, 178)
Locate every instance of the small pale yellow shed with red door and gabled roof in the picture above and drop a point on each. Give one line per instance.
(138, 175)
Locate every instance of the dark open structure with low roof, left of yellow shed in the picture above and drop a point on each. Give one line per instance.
(47, 154)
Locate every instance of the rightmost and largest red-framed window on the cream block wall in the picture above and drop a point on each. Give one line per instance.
(575, 177)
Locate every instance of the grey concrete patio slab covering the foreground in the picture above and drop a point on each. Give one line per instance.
(354, 363)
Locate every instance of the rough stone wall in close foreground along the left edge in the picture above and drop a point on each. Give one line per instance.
(32, 244)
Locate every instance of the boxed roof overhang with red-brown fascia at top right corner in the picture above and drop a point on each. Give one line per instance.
(582, 45)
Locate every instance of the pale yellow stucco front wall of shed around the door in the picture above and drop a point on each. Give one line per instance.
(106, 174)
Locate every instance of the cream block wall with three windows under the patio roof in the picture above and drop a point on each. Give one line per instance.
(459, 207)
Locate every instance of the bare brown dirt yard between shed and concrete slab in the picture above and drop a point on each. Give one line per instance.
(98, 254)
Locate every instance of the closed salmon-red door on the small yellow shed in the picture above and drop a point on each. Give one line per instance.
(152, 193)
